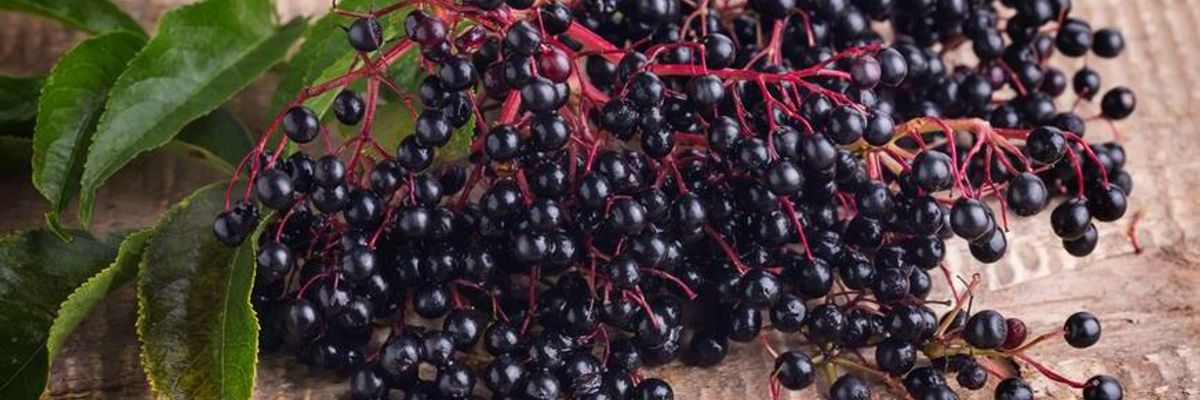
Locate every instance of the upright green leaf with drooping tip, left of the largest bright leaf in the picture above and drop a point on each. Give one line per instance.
(73, 102)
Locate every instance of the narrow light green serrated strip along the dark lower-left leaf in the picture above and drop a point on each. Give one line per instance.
(80, 303)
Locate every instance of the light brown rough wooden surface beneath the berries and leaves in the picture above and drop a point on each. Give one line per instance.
(1147, 302)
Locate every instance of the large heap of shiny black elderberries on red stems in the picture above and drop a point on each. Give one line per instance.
(651, 181)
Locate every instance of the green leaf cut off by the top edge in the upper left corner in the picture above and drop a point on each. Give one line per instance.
(92, 16)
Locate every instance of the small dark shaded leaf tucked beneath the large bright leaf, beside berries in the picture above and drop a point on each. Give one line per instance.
(220, 138)
